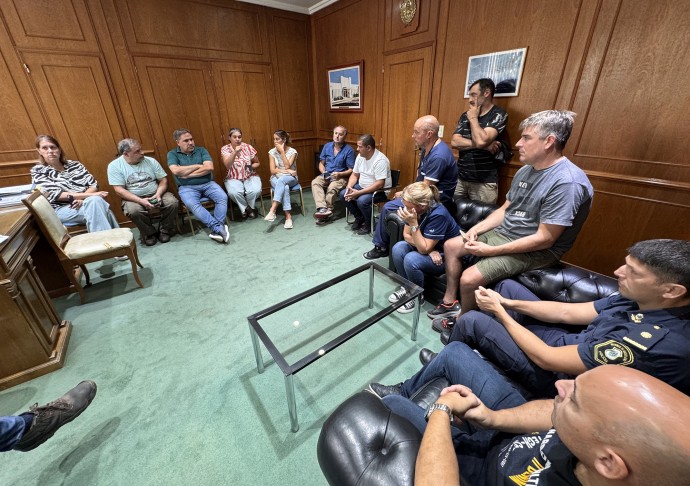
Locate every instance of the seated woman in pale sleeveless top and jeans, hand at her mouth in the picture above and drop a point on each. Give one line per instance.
(283, 164)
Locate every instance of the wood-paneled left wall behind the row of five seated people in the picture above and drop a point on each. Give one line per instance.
(102, 70)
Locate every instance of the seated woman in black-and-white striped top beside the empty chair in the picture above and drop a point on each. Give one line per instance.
(70, 188)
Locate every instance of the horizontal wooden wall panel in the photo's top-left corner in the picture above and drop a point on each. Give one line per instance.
(54, 24)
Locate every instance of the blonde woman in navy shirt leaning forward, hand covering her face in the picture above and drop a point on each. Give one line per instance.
(428, 225)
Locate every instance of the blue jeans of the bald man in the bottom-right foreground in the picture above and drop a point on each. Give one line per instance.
(459, 364)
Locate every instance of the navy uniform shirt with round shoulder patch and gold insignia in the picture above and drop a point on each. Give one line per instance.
(656, 342)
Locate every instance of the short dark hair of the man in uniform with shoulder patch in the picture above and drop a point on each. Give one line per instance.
(668, 259)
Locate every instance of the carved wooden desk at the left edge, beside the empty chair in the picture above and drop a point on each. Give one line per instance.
(33, 339)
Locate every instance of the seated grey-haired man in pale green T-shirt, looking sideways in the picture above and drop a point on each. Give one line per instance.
(142, 184)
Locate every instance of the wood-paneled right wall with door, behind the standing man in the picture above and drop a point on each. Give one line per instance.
(618, 64)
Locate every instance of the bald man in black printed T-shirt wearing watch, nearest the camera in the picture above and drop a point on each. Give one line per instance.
(610, 425)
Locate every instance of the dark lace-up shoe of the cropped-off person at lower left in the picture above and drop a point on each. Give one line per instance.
(48, 418)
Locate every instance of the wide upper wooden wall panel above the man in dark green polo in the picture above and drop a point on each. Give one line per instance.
(201, 29)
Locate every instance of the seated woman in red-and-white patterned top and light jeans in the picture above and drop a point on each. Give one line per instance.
(241, 181)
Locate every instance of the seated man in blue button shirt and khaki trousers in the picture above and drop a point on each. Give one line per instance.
(336, 162)
